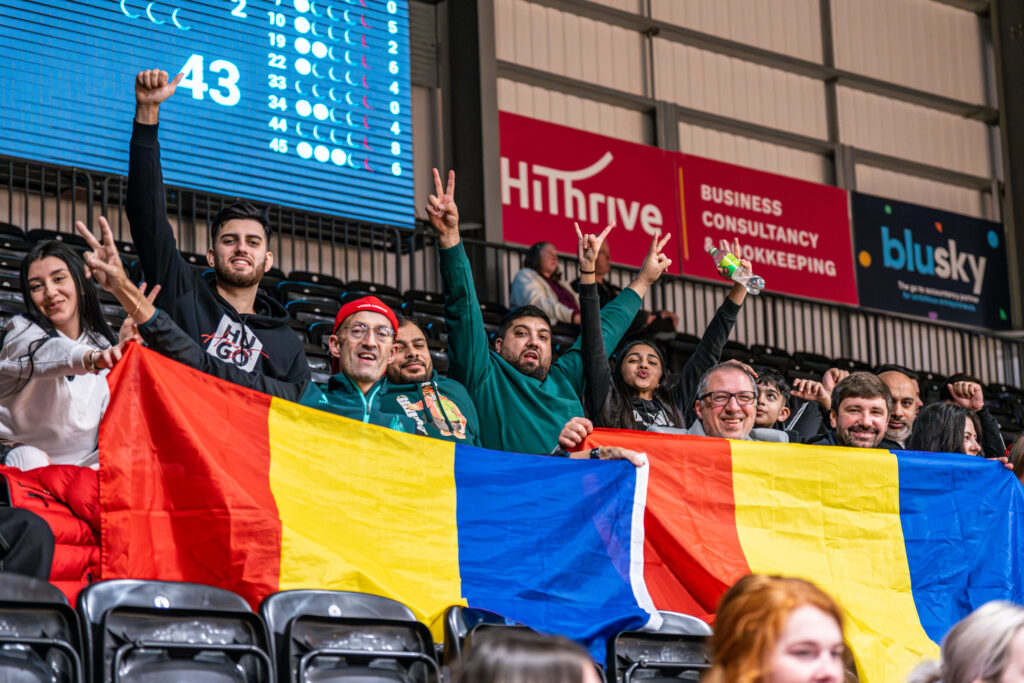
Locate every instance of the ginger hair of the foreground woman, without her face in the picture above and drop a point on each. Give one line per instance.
(750, 621)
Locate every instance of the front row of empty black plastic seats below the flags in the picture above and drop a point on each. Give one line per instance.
(127, 630)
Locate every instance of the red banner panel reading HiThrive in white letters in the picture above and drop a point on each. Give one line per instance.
(552, 176)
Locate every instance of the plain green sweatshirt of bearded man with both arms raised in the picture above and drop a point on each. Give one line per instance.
(518, 413)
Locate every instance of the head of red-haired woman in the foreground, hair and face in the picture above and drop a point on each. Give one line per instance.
(779, 630)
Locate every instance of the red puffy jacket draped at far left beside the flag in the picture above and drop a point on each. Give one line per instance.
(68, 498)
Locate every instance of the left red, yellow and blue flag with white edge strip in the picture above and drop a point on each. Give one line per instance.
(206, 482)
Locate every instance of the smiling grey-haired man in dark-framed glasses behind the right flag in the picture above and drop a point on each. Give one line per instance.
(727, 406)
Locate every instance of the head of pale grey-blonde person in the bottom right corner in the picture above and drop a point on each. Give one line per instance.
(987, 647)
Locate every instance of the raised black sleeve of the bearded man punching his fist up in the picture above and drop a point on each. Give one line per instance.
(147, 211)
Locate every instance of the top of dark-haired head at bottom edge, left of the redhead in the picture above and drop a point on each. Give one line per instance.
(505, 656)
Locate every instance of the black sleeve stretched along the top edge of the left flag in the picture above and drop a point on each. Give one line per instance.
(163, 335)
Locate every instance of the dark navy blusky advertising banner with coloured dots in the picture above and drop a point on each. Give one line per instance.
(936, 265)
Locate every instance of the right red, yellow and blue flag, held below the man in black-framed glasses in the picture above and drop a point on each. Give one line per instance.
(908, 543)
